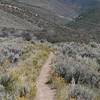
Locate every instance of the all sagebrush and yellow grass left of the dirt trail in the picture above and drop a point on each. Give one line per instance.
(20, 64)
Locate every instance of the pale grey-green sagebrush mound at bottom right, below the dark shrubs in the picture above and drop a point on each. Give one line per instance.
(80, 92)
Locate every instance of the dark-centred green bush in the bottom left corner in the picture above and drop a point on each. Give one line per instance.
(6, 87)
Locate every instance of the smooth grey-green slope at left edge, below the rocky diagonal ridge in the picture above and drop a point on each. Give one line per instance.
(11, 21)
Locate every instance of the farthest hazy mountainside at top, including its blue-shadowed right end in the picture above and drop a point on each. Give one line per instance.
(63, 7)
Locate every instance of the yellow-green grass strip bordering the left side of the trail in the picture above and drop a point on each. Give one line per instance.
(25, 73)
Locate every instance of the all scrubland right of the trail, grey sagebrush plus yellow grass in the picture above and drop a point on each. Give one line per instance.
(76, 71)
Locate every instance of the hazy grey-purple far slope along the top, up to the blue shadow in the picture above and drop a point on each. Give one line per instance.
(61, 8)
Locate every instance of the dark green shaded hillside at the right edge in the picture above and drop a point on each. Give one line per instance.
(89, 22)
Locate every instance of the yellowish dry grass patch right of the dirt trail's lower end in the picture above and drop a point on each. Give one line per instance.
(60, 85)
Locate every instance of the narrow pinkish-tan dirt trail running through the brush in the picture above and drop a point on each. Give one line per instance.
(43, 90)
